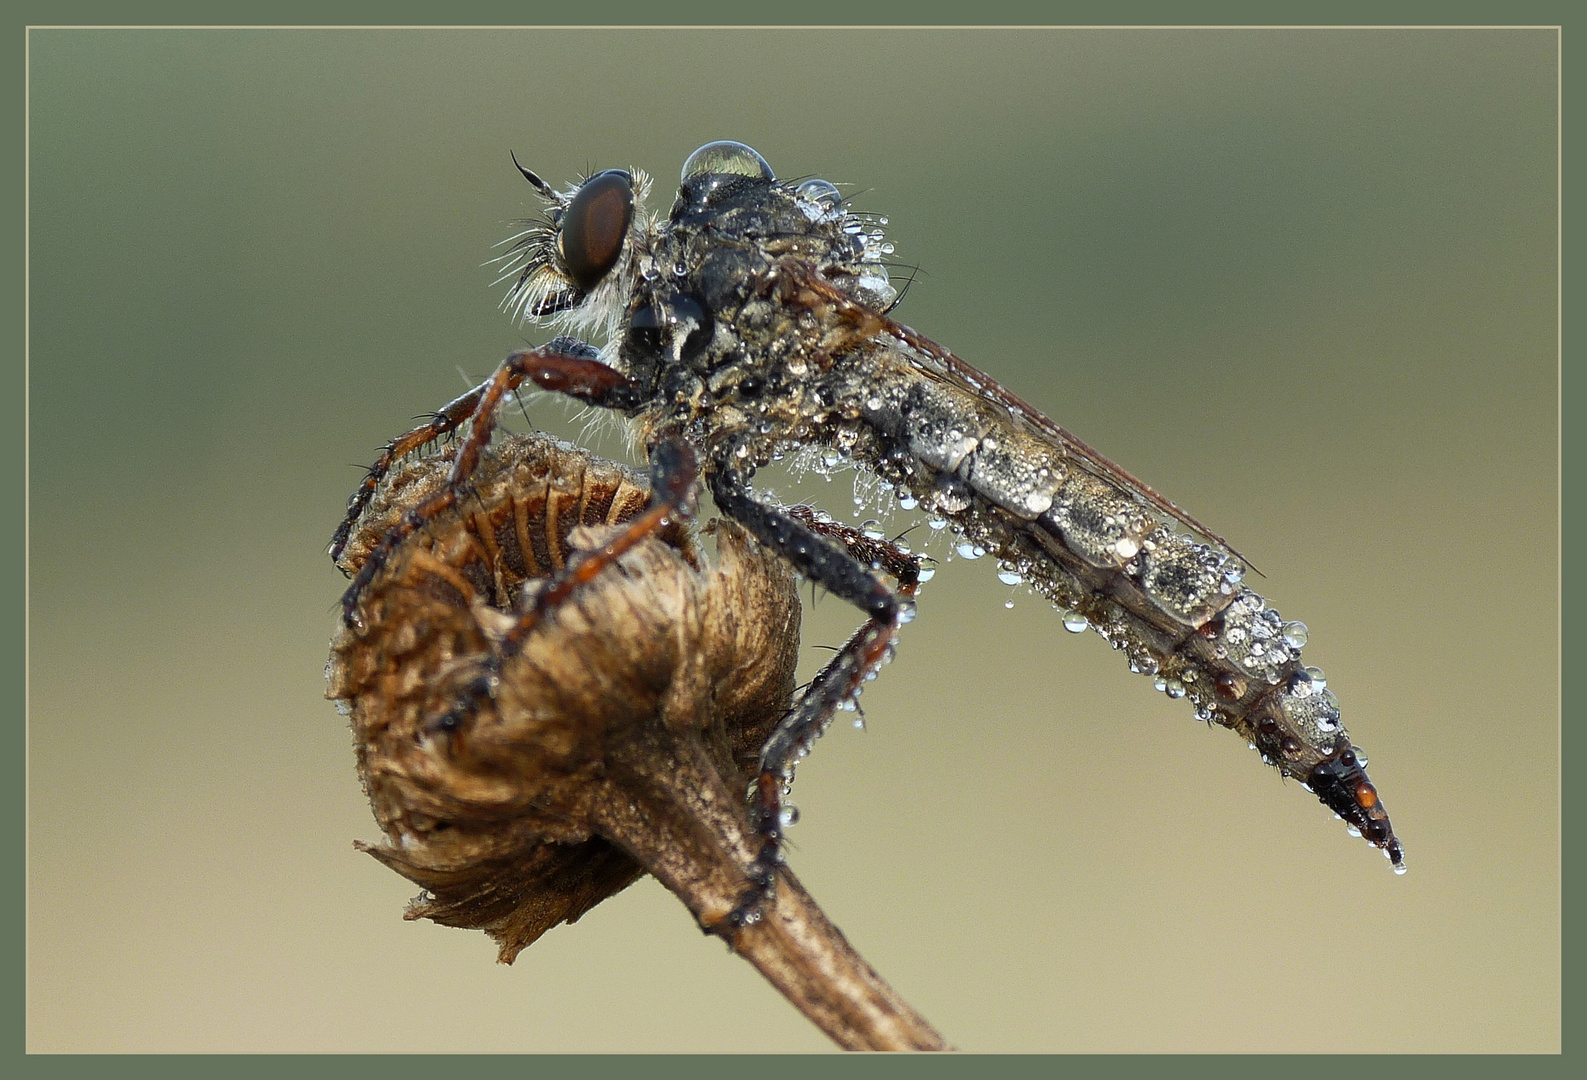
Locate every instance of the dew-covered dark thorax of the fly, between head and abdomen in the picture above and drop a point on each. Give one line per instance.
(724, 361)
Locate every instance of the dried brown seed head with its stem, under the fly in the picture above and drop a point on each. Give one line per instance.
(617, 741)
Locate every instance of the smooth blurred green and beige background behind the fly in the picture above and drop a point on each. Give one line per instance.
(1301, 281)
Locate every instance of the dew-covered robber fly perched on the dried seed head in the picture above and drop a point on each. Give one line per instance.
(753, 321)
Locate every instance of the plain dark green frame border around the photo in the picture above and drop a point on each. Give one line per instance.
(13, 538)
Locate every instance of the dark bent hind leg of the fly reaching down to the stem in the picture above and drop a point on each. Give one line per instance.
(809, 545)
